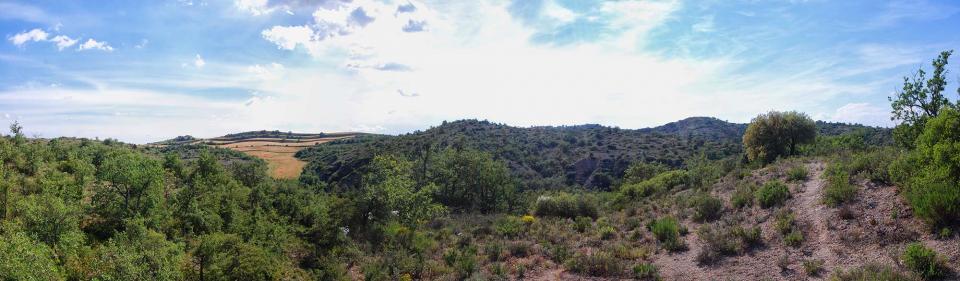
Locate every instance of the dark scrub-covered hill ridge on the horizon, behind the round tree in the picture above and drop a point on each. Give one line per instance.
(590, 156)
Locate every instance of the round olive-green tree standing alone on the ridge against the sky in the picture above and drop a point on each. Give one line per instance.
(777, 134)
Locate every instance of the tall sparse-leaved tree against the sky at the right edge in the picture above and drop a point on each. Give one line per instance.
(919, 100)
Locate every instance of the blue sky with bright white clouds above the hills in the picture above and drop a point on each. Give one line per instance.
(143, 71)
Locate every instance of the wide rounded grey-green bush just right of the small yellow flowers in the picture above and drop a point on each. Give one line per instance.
(566, 206)
